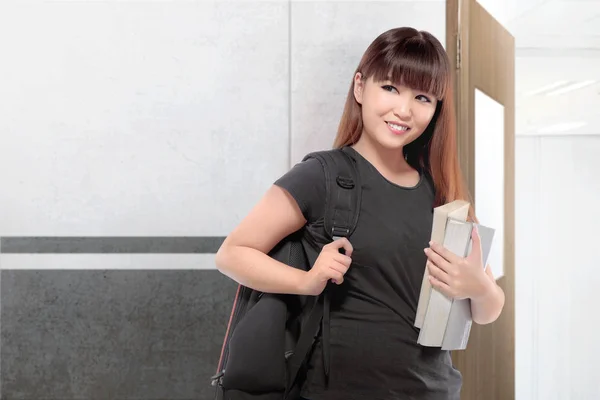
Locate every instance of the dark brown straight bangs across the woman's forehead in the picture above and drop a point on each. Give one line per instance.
(413, 63)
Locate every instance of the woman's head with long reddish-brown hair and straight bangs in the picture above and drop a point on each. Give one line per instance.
(408, 85)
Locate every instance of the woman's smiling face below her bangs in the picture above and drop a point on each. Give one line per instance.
(393, 115)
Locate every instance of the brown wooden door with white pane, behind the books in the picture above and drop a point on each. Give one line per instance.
(483, 55)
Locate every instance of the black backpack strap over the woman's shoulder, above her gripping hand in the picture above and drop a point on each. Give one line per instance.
(343, 191)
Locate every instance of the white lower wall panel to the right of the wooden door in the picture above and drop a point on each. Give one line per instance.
(557, 193)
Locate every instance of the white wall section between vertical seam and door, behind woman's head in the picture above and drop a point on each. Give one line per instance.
(328, 40)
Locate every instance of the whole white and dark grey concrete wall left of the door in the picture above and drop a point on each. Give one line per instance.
(133, 137)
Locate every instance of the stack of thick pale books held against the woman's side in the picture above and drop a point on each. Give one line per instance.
(443, 321)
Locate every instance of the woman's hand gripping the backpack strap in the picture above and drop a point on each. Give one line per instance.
(330, 265)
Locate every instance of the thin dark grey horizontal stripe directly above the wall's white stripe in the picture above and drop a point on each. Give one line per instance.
(107, 245)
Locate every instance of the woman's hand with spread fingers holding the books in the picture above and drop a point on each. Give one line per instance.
(455, 276)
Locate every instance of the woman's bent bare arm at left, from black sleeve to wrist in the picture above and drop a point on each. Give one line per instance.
(243, 255)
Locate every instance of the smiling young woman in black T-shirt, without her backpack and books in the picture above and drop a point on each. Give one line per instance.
(399, 126)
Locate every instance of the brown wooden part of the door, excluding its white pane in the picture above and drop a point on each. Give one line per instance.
(488, 363)
